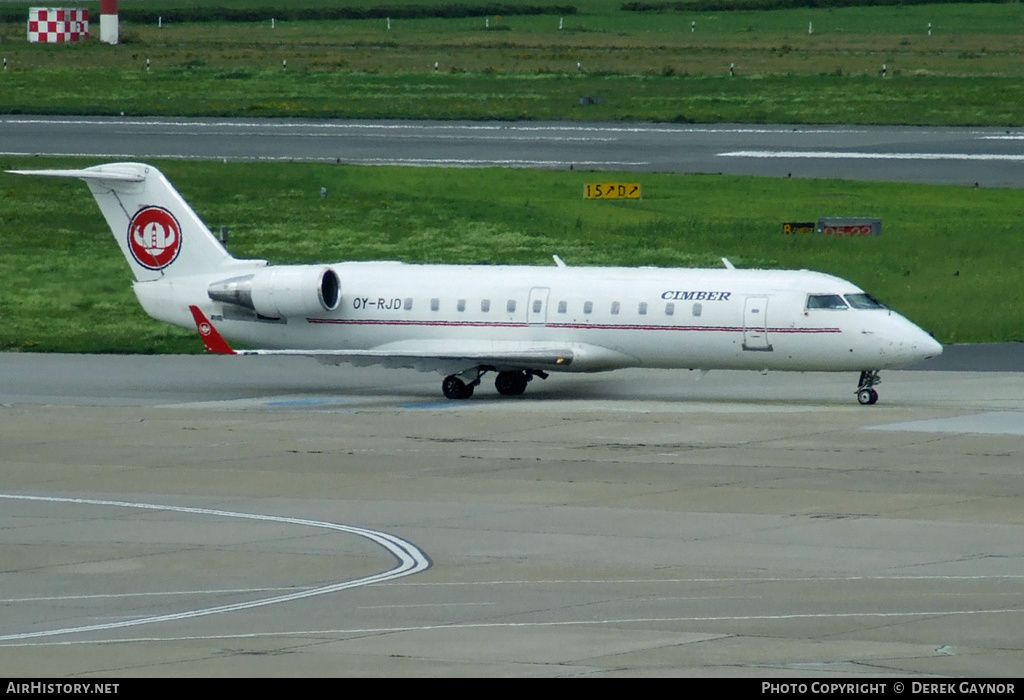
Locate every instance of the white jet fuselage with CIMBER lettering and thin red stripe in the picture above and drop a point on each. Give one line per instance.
(651, 318)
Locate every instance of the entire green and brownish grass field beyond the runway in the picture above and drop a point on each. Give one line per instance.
(649, 67)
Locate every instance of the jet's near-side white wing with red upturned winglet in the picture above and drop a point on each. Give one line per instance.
(446, 357)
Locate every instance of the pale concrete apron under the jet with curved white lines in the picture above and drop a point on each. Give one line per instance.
(207, 516)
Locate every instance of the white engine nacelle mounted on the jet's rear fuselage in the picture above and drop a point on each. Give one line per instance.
(282, 291)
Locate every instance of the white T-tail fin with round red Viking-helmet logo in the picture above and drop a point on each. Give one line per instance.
(159, 234)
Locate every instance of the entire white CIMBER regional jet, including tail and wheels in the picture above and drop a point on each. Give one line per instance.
(518, 322)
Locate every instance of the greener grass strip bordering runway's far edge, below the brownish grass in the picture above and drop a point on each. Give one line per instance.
(775, 100)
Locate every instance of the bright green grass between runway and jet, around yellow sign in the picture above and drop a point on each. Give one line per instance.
(943, 259)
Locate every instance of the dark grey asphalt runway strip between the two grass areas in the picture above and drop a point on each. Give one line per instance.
(965, 157)
